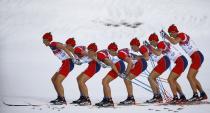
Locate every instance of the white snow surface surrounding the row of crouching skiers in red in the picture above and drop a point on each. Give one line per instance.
(27, 65)
